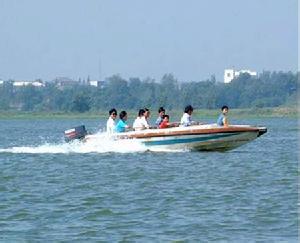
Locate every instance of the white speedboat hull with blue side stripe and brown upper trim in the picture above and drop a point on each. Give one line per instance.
(209, 137)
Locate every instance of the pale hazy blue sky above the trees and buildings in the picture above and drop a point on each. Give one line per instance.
(192, 39)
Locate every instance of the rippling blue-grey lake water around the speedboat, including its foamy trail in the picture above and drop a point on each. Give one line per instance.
(52, 191)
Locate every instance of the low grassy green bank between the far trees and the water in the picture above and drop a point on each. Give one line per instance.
(290, 112)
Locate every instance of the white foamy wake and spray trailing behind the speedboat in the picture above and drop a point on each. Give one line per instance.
(102, 144)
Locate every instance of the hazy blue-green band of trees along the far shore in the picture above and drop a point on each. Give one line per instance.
(269, 89)
